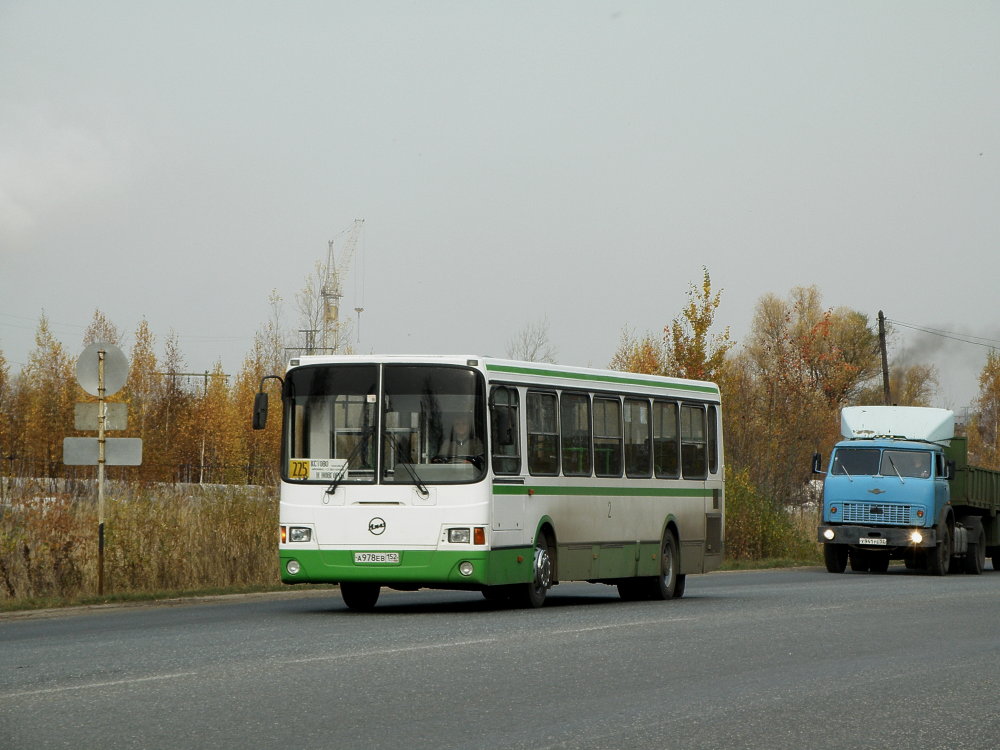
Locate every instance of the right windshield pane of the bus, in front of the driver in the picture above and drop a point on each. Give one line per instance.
(434, 419)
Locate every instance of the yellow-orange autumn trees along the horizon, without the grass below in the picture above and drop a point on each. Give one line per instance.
(783, 388)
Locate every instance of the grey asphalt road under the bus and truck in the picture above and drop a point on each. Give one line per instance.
(774, 659)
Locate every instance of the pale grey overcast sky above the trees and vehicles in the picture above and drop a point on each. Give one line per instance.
(513, 161)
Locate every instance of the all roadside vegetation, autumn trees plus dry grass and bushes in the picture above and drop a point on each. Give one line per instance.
(200, 514)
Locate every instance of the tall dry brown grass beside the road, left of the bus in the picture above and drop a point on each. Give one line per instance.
(157, 538)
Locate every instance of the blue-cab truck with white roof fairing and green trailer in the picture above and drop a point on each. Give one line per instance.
(899, 487)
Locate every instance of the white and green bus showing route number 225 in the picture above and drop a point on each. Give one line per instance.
(473, 473)
